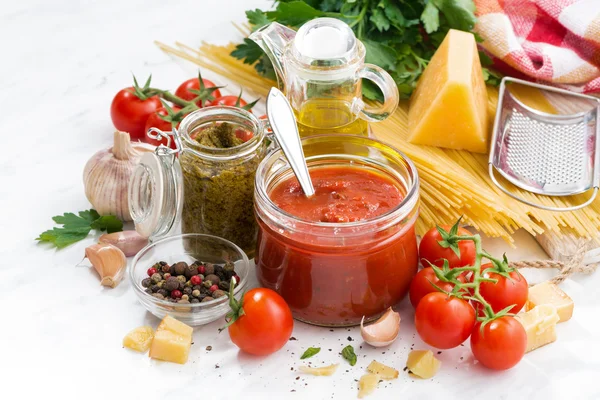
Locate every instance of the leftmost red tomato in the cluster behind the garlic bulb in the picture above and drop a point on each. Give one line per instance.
(129, 113)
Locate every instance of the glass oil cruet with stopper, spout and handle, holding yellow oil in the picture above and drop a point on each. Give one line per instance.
(320, 68)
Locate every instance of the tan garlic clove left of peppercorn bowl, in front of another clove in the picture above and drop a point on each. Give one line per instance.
(108, 261)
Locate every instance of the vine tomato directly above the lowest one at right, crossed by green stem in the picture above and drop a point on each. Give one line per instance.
(506, 291)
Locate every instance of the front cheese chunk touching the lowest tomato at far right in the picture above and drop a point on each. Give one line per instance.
(540, 325)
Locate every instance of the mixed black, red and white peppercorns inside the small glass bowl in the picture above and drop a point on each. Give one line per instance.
(189, 283)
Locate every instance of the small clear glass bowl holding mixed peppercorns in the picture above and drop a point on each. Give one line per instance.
(188, 277)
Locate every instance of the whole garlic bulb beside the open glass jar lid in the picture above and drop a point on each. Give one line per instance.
(106, 175)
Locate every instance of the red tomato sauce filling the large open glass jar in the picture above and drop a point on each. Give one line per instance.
(328, 278)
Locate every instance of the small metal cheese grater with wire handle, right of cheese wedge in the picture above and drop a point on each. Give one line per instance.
(552, 155)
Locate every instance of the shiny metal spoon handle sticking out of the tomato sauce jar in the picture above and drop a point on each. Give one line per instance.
(283, 123)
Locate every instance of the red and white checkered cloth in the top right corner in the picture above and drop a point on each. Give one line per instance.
(556, 41)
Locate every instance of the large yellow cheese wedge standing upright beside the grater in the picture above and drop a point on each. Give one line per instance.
(449, 106)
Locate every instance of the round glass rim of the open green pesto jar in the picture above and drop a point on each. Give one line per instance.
(228, 114)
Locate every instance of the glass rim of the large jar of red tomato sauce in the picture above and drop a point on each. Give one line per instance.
(402, 209)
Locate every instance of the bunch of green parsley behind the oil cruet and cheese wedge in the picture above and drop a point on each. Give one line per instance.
(400, 36)
